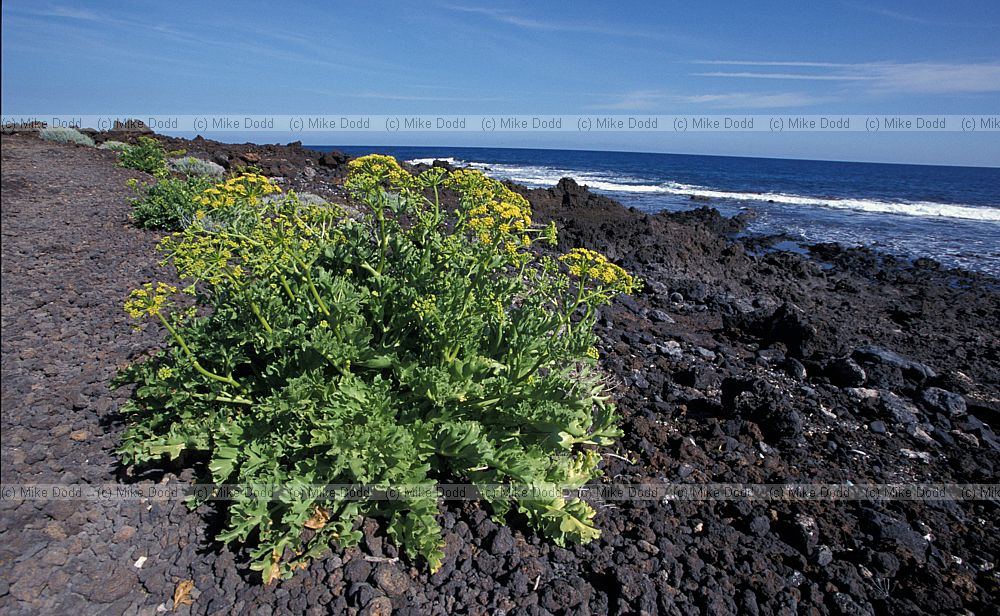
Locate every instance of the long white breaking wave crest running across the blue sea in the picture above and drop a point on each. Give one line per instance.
(537, 176)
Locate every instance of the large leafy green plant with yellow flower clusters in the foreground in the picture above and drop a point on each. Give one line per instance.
(412, 346)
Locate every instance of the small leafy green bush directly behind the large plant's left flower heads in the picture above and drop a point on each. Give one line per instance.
(169, 203)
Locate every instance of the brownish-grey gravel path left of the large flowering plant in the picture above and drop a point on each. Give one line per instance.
(69, 256)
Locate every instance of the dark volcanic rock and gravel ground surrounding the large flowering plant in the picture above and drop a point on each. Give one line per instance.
(737, 364)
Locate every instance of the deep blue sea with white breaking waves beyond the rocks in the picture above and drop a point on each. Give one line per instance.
(951, 214)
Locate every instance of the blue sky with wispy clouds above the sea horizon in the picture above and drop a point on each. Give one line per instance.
(526, 58)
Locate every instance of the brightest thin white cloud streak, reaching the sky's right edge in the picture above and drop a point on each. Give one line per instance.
(878, 77)
